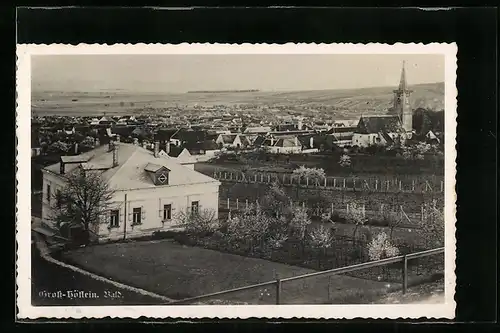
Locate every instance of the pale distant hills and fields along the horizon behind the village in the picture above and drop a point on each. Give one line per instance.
(348, 103)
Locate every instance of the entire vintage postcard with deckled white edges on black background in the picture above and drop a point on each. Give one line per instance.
(236, 181)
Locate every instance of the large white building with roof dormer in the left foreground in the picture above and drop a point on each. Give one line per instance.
(151, 190)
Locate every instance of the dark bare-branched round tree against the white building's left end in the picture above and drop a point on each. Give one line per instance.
(84, 200)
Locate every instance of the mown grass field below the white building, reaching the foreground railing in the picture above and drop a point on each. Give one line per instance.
(178, 272)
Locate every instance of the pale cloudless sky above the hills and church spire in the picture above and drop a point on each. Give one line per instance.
(182, 73)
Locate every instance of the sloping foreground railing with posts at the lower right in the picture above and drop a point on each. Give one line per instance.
(278, 283)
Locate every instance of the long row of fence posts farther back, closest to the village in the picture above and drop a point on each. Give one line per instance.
(382, 184)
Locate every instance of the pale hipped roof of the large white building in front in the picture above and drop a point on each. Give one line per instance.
(130, 173)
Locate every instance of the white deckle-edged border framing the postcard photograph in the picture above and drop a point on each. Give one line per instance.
(23, 176)
